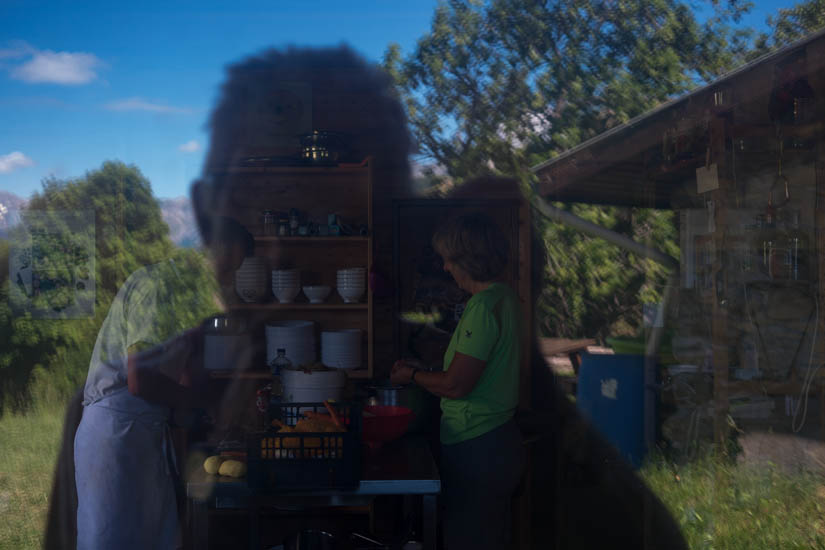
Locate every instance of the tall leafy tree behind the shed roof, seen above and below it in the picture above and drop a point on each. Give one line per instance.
(495, 87)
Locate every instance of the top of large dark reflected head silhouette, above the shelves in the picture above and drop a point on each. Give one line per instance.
(270, 98)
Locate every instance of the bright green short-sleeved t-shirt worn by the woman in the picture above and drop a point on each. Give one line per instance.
(490, 330)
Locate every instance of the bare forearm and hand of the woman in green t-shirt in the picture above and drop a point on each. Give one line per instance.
(454, 383)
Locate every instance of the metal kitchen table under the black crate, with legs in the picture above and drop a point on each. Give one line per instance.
(403, 467)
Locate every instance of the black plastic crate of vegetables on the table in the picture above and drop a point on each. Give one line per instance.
(305, 461)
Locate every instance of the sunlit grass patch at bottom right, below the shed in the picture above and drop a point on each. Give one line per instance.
(722, 506)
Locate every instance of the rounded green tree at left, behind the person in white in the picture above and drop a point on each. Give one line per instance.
(47, 358)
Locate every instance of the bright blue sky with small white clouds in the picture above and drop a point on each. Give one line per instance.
(83, 82)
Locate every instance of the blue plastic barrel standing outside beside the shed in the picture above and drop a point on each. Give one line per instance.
(611, 395)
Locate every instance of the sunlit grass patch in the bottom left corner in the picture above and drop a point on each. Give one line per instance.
(28, 449)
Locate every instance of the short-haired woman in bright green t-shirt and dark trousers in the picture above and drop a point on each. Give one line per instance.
(482, 456)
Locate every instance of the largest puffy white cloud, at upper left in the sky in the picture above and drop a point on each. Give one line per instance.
(69, 68)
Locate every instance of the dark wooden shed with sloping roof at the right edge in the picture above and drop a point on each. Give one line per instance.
(742, 162)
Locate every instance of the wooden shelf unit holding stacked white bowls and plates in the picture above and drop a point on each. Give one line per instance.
(345, 190)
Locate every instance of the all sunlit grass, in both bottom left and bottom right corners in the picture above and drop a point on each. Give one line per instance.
(719, 506)
